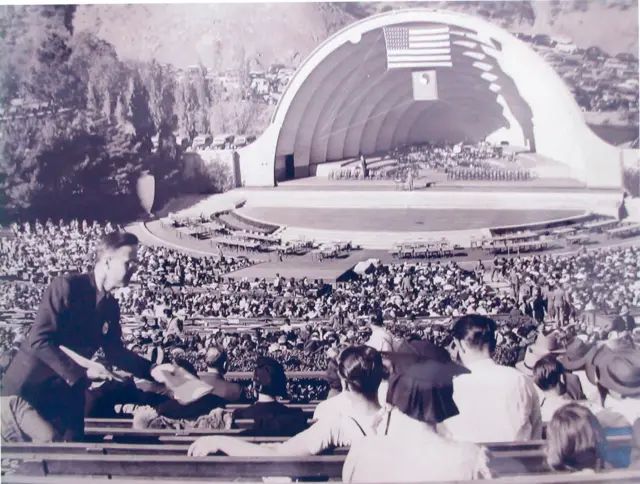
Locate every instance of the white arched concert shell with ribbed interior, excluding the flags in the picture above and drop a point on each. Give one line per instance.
(342, 101)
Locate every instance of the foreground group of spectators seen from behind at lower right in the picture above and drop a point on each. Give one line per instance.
(428, 408)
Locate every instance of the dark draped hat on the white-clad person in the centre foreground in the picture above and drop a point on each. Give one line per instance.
(424, 391)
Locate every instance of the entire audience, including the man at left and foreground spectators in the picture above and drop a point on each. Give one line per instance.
(492, 367)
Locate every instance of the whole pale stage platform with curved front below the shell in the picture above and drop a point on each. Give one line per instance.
(375, 215)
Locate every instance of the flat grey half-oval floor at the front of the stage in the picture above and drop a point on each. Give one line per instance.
(400, 220)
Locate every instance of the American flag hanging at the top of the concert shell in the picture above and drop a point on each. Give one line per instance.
(417, 47)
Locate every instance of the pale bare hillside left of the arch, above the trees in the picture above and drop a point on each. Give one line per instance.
(218, 36)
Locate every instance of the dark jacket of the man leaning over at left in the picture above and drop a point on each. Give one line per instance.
(72, 315)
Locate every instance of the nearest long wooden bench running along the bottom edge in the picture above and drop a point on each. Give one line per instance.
(127, 460)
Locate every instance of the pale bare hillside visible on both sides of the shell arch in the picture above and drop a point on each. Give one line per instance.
(222, 35)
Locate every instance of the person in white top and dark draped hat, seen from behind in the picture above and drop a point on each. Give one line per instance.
(408, 447)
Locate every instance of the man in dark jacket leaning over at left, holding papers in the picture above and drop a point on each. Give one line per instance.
(44, 384)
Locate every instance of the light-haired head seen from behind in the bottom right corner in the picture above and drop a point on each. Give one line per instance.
(575, 439)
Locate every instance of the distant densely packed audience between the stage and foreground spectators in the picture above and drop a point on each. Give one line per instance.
(171, 294)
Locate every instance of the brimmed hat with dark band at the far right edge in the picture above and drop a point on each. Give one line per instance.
(616, 368)
